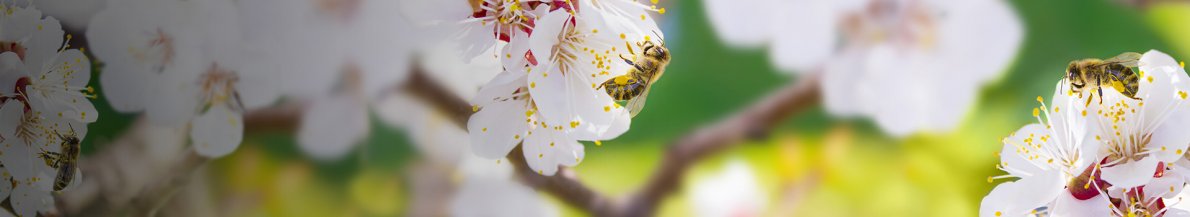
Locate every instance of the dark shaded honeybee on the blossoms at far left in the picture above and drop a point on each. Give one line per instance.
(66, 163)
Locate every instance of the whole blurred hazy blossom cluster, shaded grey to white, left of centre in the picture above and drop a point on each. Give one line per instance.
(202, 65)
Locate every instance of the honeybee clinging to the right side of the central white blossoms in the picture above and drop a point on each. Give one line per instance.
(647, 70)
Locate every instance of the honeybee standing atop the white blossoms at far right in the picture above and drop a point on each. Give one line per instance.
(1114, 73)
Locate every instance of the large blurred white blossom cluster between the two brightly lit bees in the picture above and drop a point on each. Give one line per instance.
(911, 66)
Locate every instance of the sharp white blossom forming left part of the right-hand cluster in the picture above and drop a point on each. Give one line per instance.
(1044, 157)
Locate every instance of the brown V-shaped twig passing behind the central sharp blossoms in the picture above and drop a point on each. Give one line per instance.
(753, 122)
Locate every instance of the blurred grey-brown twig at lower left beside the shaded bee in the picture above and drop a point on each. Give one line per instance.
(122, 177)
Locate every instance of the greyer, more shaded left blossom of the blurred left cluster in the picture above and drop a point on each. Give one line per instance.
(184, 64)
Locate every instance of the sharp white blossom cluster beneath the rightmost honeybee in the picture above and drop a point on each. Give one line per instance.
(1113, 156)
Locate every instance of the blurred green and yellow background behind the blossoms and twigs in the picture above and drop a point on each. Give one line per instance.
(850, 168)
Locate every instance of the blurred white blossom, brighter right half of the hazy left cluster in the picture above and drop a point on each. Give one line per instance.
(362, 51)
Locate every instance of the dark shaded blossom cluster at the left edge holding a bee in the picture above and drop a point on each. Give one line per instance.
(45, 109)
